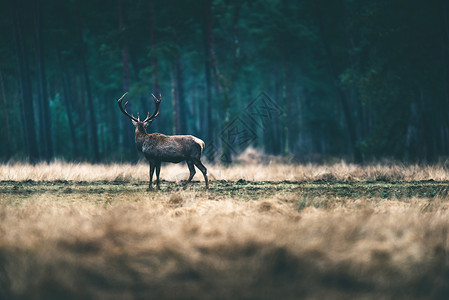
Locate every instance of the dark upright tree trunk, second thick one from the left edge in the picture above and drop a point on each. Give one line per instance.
(46, 132)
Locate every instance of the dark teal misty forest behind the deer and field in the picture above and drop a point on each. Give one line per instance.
(356, 79)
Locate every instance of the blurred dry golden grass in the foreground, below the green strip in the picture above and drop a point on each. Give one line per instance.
(186, 245)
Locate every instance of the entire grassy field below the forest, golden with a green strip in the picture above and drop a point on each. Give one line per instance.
(263, 231)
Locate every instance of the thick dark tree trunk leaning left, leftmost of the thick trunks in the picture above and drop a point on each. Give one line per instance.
(25, 86)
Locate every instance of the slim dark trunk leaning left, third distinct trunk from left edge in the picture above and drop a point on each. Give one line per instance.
(90, 105)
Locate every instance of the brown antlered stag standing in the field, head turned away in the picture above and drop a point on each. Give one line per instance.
(158, 147)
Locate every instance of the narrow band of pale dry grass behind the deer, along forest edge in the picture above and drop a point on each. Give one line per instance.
(271, 171)
